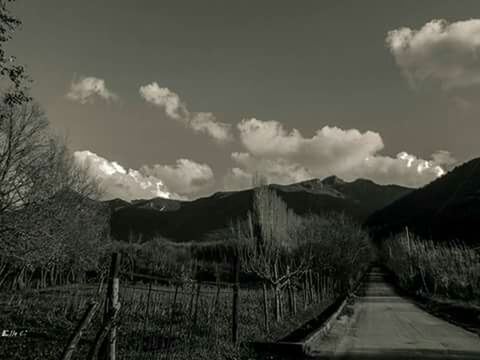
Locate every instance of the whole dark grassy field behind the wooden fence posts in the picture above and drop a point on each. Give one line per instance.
(155, 322)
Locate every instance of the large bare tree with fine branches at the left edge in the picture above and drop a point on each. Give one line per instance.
(48, 219)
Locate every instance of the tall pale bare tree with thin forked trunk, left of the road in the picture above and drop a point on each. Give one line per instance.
(267, 242)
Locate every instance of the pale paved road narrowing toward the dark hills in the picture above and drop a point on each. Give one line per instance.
(387, 326)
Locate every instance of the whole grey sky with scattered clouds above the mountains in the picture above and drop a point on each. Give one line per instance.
(184, 98)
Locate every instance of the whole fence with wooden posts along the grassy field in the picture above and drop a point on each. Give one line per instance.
(148, 317)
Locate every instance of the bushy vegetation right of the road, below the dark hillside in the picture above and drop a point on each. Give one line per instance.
(424, 267)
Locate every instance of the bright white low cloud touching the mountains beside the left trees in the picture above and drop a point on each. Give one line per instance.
(185, 178)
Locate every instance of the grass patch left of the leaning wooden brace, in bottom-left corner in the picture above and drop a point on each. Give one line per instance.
(49, 316)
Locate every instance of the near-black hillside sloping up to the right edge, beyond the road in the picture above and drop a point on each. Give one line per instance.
(446, 209)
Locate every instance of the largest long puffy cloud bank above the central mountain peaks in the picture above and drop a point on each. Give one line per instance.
(284, 157)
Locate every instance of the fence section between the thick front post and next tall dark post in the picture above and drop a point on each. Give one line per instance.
(183, 320)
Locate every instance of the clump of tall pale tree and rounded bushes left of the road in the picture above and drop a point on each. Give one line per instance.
(282, 249)
